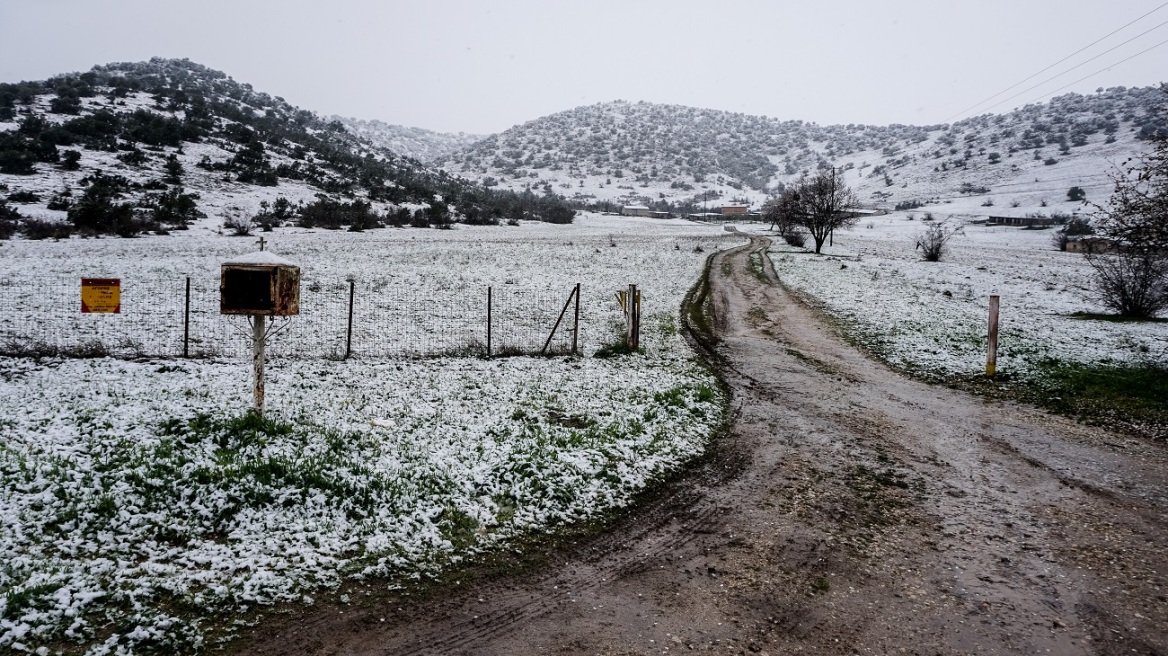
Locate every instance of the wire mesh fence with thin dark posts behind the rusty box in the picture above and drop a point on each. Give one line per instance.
(339, 318)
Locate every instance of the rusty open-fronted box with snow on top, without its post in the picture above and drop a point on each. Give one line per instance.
(260, 284)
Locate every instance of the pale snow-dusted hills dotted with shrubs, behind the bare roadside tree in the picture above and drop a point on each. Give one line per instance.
(648, 153)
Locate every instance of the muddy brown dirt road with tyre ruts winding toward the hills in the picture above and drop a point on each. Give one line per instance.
(850, 511)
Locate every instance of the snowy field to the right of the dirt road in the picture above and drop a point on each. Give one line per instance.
(931, 318)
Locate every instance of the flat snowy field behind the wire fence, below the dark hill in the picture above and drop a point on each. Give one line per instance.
(416, 290)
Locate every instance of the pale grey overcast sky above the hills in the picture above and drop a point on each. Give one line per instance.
(483, 67)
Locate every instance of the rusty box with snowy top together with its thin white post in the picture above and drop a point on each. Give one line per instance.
(260, 285)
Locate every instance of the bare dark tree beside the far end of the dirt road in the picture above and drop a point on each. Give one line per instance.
(821, 204)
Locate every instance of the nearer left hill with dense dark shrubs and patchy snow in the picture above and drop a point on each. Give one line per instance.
(162, 145)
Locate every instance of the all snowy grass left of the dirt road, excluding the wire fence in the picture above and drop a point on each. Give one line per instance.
(141, 507)
